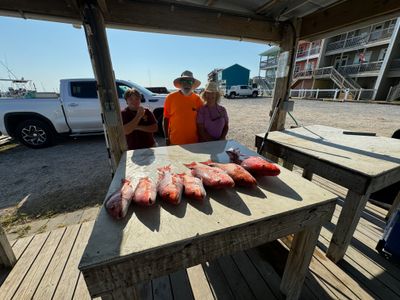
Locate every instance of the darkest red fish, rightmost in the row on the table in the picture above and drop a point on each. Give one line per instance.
(254, 164)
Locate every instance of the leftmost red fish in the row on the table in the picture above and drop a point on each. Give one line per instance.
(117, 204)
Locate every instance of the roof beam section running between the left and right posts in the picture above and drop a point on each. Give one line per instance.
(187, 20)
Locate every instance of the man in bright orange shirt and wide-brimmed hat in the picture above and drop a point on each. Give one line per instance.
(180, 111)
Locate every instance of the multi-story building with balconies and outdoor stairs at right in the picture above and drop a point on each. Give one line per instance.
(364, 62)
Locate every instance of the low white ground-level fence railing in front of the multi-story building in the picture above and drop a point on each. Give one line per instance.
(335, 94)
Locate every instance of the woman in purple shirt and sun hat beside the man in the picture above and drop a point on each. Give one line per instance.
(212, 118)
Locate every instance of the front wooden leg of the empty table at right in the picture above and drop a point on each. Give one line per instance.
(346, 225)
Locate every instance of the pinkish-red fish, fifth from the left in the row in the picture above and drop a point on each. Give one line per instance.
(212, 177)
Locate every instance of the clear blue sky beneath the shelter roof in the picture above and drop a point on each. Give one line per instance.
(47, 52)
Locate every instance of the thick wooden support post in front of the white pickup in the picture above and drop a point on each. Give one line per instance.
(96, 38)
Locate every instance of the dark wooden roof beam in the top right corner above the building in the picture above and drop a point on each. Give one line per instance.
(345, 14)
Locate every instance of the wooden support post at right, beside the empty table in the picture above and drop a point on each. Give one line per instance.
(284, 72)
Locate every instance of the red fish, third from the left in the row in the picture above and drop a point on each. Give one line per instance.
(170, 186)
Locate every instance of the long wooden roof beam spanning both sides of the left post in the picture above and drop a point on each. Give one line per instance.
(154, 16)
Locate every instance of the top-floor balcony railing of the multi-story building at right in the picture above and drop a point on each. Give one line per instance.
(361, 40)
